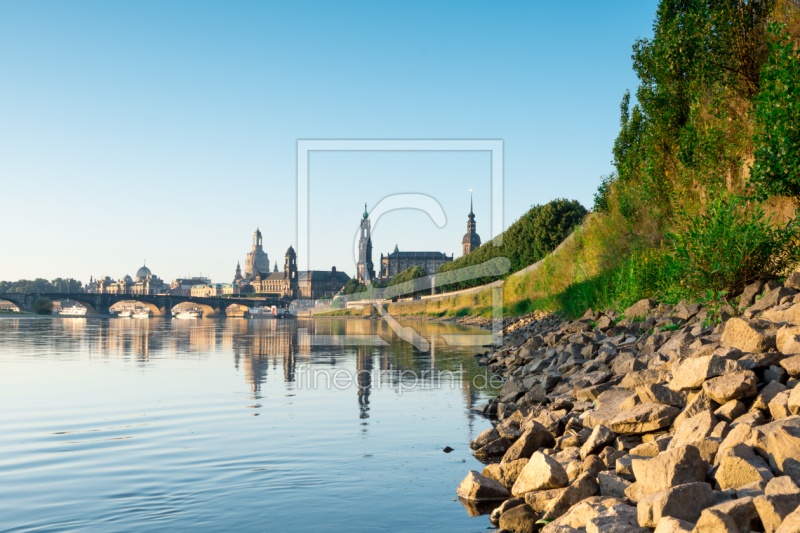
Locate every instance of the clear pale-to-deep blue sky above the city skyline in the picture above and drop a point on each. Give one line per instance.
(167, 130)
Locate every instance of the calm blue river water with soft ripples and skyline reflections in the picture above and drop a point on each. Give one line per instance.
(221, 425)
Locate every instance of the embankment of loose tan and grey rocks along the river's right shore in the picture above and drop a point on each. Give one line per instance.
(659, 422)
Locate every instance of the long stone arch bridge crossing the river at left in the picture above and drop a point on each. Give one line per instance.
(159, 304)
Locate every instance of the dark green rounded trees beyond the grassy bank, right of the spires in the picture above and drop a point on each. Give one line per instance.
(526, 241)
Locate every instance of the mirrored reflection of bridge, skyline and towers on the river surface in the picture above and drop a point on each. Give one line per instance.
(308, 353)
